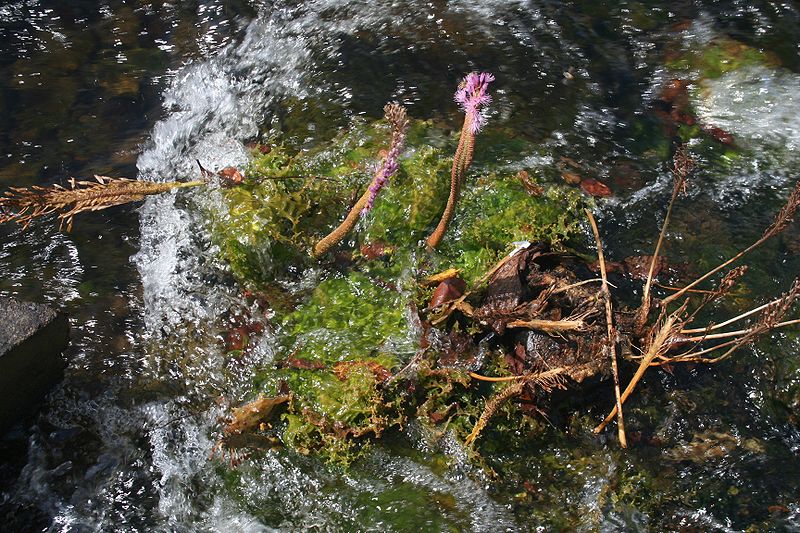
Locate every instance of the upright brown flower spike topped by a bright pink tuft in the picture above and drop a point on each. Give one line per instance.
(471, 95)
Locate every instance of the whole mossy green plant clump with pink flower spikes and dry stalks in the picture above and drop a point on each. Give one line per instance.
(468, 340)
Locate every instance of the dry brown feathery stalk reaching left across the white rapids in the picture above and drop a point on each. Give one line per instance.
(22, 205)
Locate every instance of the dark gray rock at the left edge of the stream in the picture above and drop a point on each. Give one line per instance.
(32, 337)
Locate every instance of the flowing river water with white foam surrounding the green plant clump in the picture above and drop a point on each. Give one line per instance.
(144, 89)
